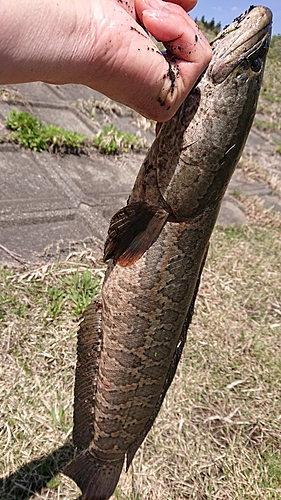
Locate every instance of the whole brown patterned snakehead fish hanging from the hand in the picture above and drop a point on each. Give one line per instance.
(130, 341)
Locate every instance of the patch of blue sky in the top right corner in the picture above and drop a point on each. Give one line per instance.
(224, 11)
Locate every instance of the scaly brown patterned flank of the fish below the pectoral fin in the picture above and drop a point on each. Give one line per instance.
(149, 358)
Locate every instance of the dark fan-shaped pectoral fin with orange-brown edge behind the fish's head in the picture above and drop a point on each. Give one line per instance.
(132, 231)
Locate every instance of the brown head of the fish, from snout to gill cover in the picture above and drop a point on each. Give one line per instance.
(211, 127)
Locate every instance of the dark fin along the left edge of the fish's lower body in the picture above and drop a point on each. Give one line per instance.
(88, 353)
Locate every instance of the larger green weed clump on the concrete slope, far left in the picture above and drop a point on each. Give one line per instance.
(30, 133)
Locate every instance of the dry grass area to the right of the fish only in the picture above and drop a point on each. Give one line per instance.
(218, 434)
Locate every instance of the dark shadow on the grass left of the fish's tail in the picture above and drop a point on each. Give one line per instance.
(32, 477)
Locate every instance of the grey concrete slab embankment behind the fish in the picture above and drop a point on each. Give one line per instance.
(50, 204)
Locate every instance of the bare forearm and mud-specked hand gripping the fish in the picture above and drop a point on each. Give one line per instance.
(103, 44)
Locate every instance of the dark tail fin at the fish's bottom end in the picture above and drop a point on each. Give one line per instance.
(96, 479)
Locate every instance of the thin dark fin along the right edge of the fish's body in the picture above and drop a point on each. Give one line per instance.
(133, 448)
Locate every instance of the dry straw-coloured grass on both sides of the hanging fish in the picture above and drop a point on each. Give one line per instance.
(218, 434)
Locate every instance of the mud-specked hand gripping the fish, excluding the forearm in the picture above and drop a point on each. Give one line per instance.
(128, 67)
